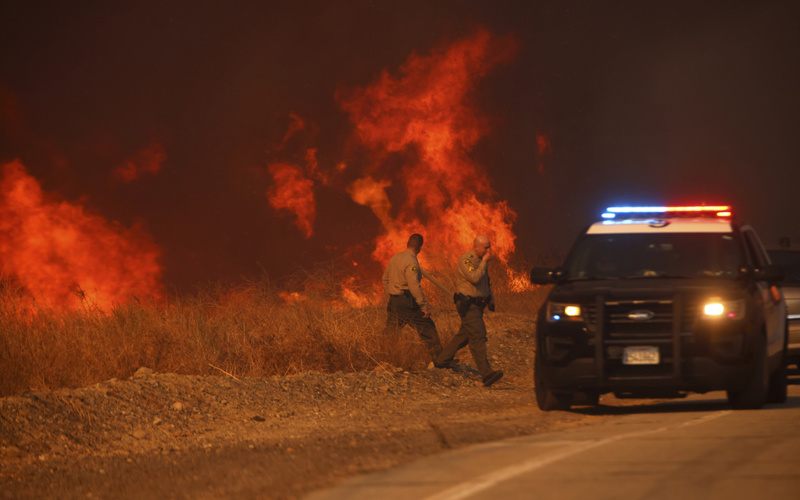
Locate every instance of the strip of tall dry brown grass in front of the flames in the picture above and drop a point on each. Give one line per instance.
(248, 331)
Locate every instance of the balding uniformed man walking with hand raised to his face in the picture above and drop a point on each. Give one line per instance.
(474, 293)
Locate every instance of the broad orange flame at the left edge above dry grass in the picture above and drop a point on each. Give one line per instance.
(66, 256)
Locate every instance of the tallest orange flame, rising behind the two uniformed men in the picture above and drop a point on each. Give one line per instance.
(424, 115)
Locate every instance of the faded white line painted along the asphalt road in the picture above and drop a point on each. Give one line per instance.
(469, 488)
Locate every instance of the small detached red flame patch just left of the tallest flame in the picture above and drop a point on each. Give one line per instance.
(293, 192)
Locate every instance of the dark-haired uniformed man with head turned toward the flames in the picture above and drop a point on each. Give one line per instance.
(407, 305)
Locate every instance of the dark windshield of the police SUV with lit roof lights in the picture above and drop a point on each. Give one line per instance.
(644, 255)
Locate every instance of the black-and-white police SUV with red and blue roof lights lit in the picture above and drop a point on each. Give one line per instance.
(656, 302)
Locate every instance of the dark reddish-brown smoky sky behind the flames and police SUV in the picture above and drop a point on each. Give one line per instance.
(642, 102)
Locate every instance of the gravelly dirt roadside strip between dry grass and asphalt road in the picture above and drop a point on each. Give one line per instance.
(175, 436)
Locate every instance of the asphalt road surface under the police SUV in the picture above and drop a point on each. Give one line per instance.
(691, 448)
